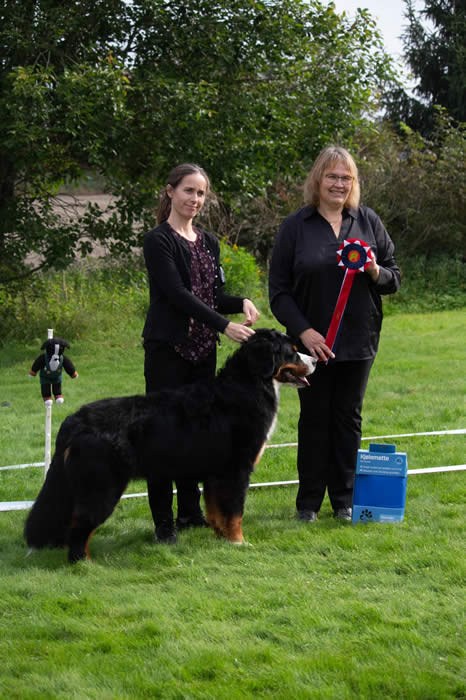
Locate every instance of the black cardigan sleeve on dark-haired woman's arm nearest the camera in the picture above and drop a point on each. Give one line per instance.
(163, 264)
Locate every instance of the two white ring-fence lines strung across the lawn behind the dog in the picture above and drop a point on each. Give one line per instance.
(24, 505)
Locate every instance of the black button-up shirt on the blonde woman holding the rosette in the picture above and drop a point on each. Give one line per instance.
(305, 279)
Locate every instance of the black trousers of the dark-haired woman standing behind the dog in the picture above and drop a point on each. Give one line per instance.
(164, 368)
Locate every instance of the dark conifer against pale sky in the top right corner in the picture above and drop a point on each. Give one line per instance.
(436, 54)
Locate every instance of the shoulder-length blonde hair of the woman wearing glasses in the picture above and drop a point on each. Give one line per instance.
(328, 157)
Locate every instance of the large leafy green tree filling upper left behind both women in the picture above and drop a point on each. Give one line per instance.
(250, 89)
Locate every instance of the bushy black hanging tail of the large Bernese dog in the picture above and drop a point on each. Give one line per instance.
(49, 520)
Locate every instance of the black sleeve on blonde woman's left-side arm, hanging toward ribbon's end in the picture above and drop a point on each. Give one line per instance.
(281, 298)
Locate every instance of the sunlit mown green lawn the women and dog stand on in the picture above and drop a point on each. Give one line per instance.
(327, 610)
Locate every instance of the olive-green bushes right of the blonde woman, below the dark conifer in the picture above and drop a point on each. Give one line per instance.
(418, 187)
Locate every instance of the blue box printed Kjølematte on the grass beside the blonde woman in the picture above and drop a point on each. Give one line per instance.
(380, 485)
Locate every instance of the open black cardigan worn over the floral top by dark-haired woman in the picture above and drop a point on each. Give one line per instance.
(172, 303)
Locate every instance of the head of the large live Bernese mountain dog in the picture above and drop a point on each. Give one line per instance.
(272, 355)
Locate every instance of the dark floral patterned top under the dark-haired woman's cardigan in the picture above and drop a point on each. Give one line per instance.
(202, 339)
